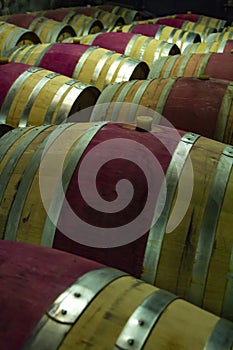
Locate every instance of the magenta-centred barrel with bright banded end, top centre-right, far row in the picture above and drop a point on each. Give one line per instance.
(160, 32)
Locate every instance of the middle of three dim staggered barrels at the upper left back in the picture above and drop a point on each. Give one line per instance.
(83, 25)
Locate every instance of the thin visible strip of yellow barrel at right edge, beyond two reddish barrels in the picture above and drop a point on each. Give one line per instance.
(212, 46)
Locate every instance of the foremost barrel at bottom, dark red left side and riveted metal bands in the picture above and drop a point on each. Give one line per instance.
(68, 294)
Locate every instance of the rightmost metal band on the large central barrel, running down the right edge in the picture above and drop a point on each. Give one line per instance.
(209, 227)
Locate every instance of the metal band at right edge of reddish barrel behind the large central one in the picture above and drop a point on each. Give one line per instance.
(224, 114)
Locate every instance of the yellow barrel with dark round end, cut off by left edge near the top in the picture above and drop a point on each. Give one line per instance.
(11, 36)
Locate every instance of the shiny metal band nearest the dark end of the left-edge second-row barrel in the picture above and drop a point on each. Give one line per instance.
(55, 101)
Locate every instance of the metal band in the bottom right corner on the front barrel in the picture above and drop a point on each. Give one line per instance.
(222, 336)
